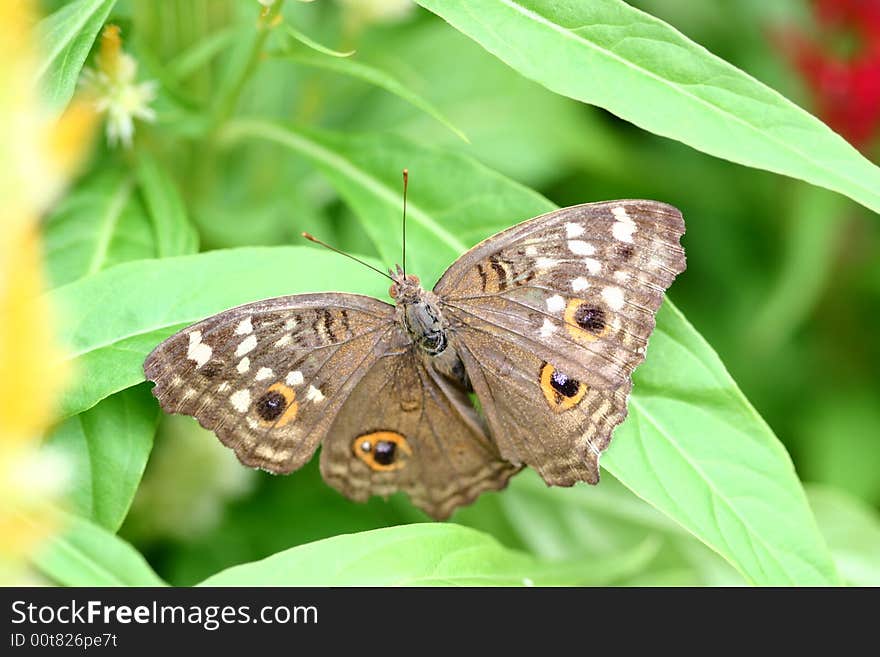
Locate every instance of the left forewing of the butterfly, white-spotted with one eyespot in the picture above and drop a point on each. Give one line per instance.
(269, 377)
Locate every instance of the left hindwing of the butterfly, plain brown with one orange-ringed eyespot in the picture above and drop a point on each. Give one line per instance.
(406, 428)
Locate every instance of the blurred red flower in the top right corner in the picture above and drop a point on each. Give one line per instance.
(845, 88)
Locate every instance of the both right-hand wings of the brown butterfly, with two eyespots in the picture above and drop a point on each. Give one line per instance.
(552, 316)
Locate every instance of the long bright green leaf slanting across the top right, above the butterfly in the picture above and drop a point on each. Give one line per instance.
(609, 54)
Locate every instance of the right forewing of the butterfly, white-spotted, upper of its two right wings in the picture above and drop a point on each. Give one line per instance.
(578, 286)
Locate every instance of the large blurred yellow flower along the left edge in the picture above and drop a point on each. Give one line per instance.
(37, 155)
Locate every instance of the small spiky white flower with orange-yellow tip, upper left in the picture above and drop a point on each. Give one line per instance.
(113, 88)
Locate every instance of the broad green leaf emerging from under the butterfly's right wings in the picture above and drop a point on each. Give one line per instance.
(696, 449)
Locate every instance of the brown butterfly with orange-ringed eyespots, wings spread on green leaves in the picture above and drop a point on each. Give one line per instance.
(543, 323)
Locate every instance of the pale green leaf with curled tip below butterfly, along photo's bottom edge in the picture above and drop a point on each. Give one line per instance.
(431, 554)
